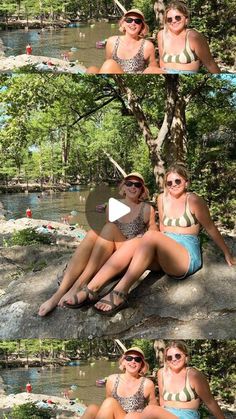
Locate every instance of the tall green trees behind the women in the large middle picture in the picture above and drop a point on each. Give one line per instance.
(66, 128)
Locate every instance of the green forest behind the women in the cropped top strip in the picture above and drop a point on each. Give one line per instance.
(214, 18)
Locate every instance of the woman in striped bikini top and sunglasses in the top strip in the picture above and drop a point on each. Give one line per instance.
(180, 49)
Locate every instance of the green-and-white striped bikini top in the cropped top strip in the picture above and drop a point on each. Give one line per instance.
(186, 56)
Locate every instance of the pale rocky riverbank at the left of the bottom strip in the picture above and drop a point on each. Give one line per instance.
(58, 406)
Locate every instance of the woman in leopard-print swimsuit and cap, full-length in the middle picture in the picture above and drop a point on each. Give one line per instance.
(96, 249)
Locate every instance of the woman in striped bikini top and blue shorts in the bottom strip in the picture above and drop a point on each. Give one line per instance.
(181, 388)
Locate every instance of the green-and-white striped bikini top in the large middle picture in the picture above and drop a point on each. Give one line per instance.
(186, 220)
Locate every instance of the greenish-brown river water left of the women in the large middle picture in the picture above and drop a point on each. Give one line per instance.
(51, 207)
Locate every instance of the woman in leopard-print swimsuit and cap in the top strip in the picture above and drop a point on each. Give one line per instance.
(131, 52)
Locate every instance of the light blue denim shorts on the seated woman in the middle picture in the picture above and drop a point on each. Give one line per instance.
(192, 243)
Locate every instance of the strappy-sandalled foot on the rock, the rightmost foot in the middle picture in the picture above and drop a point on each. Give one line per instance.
(112, 303)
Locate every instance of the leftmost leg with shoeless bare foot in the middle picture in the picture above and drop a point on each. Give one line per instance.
(75, 267)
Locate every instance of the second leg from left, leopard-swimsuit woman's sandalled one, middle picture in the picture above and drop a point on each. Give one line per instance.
(109, 239)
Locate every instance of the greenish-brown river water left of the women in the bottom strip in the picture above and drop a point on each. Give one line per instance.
(55, 381)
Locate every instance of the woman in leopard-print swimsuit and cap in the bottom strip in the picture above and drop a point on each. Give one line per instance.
(127, 392)
